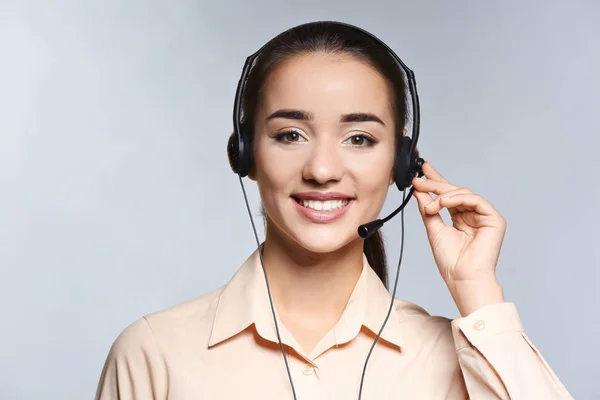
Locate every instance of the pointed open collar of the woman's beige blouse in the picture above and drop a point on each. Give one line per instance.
(244, 301)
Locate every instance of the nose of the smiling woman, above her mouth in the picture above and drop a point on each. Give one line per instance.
(324, 163)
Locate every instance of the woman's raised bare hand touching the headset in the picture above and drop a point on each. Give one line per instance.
(467, 251)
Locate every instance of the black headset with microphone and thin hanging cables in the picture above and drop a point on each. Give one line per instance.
(407, 165)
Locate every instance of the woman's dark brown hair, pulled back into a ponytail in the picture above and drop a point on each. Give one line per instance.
(332, 38)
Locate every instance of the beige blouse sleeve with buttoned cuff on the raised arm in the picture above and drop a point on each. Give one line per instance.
(497, 359)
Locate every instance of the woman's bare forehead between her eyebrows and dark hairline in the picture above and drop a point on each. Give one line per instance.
(327, 84)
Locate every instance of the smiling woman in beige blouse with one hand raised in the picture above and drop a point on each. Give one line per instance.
(326, 107)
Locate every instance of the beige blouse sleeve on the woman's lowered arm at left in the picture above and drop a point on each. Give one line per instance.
(134, 368)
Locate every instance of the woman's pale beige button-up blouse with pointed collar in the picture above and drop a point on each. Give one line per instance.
(223, 345)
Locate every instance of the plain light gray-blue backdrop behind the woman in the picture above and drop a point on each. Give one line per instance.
(117, 198)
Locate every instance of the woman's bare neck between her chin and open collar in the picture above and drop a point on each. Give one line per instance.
(311, 287)
